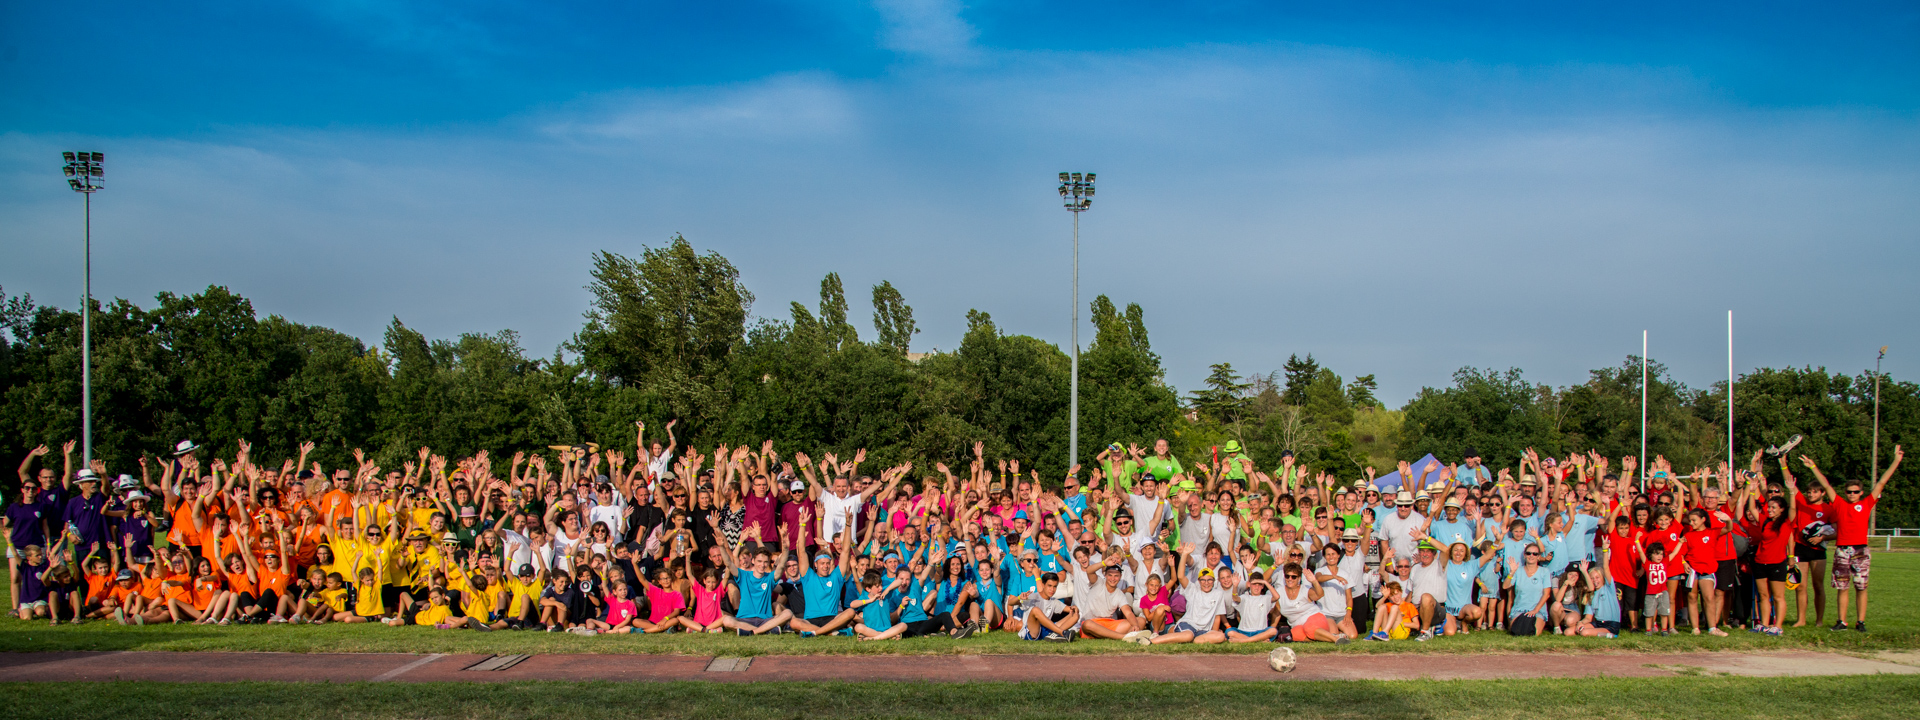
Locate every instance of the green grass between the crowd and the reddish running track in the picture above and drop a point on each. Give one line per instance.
(1894, 619)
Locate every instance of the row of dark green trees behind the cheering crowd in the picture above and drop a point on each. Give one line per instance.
(671, 335)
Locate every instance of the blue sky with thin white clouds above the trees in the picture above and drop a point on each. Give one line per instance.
(1397, 189)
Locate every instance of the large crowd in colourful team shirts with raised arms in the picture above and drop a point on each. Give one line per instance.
(748, 540)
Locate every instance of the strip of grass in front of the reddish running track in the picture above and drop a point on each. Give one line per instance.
(1666, 698)
